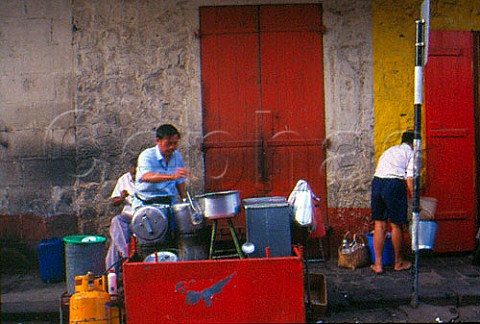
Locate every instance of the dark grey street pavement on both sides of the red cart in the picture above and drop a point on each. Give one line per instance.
(447, 290)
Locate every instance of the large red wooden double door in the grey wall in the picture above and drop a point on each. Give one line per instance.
(262, 89)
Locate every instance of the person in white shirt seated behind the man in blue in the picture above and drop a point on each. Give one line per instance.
(120, 225)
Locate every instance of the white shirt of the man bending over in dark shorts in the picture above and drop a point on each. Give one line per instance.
(396, 163)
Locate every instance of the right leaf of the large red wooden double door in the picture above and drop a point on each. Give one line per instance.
(292, 96)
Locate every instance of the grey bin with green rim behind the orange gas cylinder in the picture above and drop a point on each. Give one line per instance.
(83, 253)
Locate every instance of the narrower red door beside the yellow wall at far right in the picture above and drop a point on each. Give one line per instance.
(450, 138)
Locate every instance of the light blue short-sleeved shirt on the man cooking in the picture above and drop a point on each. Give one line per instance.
(152, 160)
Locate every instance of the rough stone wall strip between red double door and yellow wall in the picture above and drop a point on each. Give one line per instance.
(348, 102)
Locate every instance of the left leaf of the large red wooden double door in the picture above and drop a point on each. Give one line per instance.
(230, 95)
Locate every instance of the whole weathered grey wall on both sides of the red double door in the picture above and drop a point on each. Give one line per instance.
(126, 67)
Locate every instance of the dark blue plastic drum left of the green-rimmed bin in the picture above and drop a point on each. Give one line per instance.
(51, 260)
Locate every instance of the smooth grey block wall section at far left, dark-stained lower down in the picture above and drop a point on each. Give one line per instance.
(35, 93)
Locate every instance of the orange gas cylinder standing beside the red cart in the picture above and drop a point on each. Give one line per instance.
(91, 303)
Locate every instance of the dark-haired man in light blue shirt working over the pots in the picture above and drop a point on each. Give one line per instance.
(161, 173)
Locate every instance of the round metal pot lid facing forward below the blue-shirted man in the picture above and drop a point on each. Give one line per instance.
(150, 223)
